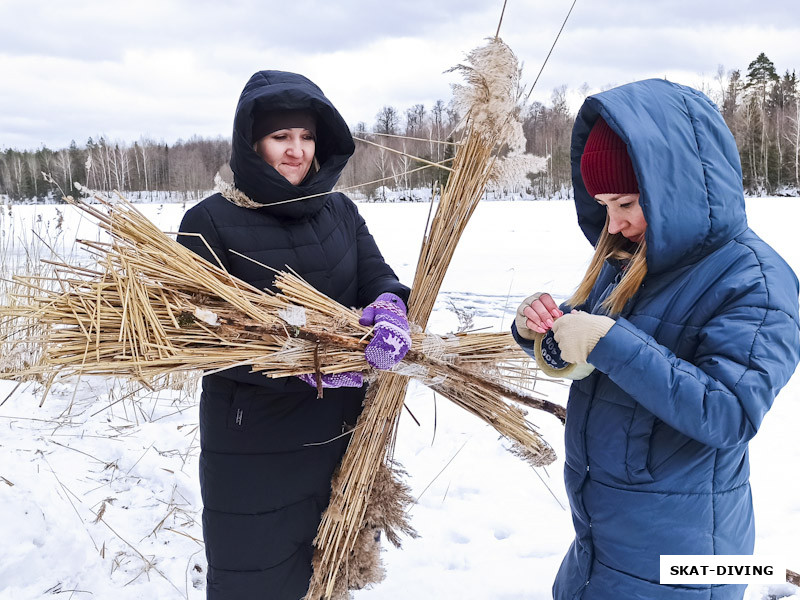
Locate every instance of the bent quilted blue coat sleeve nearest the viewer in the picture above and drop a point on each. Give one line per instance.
(746, 354)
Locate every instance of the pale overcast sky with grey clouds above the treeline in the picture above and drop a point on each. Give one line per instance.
(168, 69)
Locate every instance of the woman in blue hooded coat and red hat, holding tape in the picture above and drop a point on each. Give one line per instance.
(690, 323)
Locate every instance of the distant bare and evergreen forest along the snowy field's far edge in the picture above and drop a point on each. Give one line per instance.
(761, 107)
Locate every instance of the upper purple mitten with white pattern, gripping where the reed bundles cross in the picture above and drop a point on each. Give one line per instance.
(390, 340)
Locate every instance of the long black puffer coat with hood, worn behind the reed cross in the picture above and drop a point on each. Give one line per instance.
(264, 486)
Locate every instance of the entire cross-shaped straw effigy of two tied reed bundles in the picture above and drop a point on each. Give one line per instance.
(149, 308)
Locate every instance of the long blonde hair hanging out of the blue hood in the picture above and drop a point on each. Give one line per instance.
(613, 246)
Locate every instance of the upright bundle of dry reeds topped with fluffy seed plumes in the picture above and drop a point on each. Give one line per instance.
(492, 129)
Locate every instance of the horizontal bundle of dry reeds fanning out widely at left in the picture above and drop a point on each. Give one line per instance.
(150, 308)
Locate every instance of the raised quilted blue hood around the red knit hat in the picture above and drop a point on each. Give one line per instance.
(686, 163)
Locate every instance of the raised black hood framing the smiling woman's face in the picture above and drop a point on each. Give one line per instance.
(279, 90)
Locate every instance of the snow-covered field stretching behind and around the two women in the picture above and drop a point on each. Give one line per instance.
(99, 496)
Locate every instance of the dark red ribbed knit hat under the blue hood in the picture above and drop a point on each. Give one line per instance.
(606, 167)
